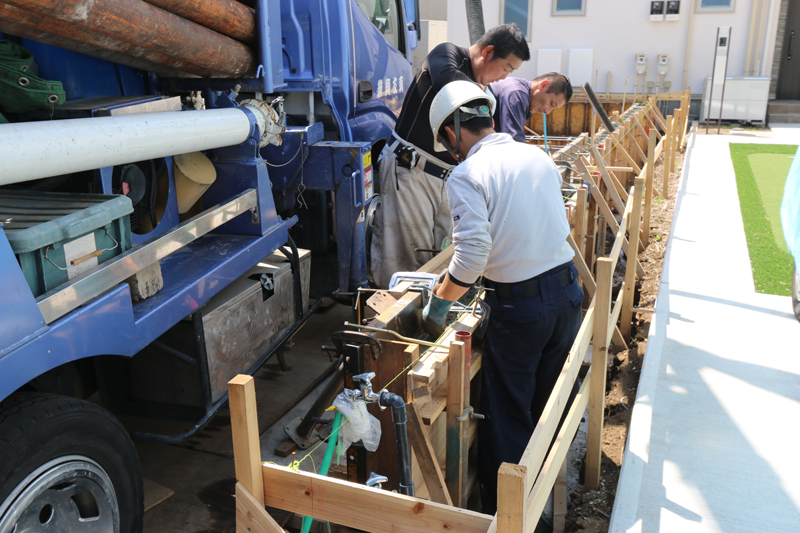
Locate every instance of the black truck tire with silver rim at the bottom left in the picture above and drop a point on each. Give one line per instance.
(66, 465)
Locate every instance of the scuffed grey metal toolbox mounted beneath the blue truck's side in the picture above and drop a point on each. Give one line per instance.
(247, 317)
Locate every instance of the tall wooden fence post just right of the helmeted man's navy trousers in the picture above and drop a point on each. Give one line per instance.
(597, 385)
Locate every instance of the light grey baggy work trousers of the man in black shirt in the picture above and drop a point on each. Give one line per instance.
(414, 214)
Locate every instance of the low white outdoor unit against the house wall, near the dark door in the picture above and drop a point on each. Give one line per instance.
(745, 100)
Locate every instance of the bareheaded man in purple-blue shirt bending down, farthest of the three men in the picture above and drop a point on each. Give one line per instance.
(518, 99)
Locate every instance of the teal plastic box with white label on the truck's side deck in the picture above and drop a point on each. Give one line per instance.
(58, 236)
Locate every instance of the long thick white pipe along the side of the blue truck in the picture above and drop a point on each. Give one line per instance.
(33, 150)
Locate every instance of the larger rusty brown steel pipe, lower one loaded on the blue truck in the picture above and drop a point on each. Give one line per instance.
(139, 31)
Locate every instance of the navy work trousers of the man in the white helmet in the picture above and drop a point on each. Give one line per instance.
(526, 344)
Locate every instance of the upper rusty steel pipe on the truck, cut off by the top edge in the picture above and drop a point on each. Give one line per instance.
(227, 17)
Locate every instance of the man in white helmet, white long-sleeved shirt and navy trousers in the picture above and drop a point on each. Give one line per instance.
(509, 226)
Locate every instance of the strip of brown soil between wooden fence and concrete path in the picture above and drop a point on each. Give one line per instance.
(589, 511)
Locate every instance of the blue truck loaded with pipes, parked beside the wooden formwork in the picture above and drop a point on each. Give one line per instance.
(161, 232)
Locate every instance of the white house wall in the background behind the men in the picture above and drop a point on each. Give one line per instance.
(619, 30)
